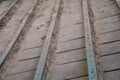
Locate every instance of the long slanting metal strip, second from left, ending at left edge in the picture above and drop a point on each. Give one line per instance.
(16, 35)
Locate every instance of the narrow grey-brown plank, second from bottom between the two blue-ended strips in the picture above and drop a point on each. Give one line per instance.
(70, 56)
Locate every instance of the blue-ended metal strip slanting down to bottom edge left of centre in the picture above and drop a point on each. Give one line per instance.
(43, 56)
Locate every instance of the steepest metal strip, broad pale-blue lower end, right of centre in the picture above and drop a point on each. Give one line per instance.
(89, 45)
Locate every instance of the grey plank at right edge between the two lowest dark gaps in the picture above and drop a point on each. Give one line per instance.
(111, 62)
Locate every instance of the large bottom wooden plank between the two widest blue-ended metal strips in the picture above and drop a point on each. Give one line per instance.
(68, 71)
